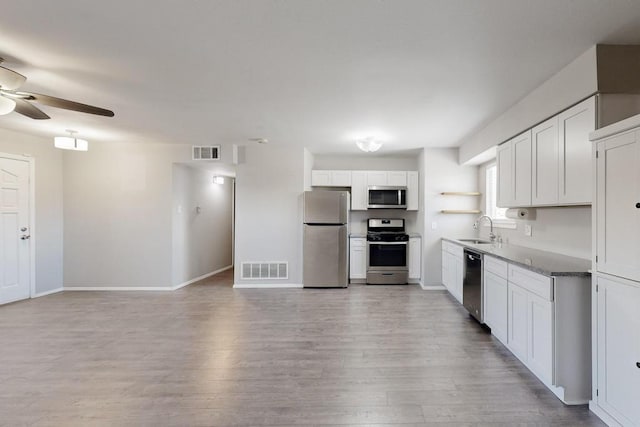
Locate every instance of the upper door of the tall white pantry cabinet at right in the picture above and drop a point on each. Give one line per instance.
(618, 206)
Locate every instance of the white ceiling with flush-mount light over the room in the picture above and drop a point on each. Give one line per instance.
(311, 72)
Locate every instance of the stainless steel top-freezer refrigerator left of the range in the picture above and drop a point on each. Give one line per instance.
(326, 245)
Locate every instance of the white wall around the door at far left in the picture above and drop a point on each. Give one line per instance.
(48, 202)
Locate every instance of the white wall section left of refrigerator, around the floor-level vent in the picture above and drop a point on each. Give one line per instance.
(269, 186)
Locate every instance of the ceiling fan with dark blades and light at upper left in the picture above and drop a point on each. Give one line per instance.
(12, 99)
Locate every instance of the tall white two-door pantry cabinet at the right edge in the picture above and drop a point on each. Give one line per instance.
(616, 274)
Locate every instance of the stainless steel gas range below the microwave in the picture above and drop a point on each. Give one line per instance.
(387, 252)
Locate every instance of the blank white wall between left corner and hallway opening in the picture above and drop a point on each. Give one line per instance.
(117, 214)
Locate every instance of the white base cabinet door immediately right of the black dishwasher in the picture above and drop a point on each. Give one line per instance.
(495, 305)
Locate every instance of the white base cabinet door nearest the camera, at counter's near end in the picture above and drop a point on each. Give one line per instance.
(540, 334)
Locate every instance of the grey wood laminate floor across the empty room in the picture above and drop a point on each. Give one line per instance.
(213, 356)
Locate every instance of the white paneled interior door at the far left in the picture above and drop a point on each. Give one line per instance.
(15, 277)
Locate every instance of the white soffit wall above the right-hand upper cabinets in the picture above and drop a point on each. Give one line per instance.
(573, 83)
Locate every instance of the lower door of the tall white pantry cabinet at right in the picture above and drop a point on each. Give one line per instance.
(619, 350)
